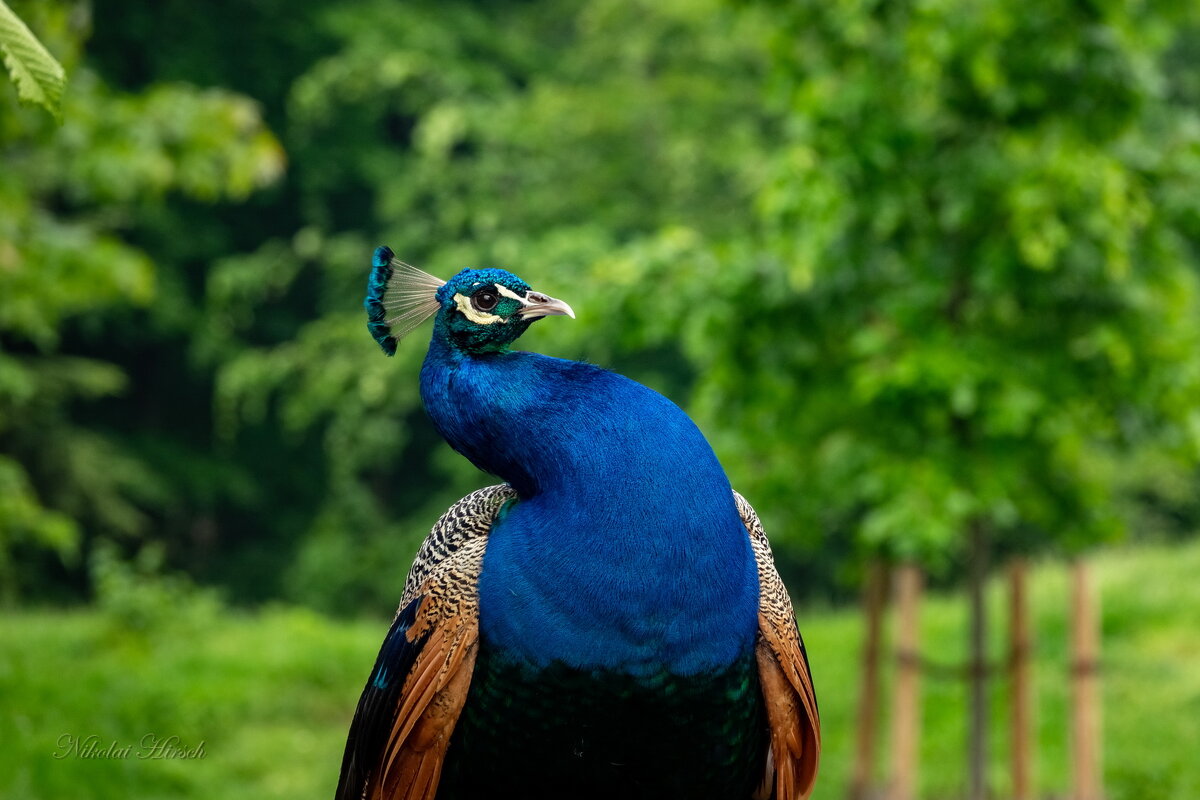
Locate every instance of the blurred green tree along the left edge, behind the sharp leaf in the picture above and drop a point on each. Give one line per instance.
(69, 199)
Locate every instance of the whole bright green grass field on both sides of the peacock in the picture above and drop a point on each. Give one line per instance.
(271, 694)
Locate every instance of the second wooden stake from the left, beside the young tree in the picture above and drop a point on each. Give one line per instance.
(907, 711)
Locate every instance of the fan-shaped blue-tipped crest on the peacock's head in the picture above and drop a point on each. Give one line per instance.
(400, 298)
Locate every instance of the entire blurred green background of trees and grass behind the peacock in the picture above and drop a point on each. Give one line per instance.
(925, 272)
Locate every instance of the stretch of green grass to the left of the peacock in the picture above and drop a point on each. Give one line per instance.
(269, 695)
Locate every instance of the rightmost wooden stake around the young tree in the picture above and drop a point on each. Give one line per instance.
(1085, 712)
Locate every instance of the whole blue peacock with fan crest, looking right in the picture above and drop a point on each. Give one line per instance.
(608, 622)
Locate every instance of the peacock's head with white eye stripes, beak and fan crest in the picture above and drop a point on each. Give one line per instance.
(478, 311)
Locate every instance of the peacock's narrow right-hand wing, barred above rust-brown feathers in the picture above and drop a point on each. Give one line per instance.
(785, 679)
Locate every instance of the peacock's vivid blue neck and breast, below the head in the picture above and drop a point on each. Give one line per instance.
(626, 549)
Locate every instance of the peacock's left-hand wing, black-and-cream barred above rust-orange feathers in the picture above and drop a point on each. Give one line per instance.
(409, 709)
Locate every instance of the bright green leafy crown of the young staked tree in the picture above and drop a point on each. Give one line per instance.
(974, 298)
